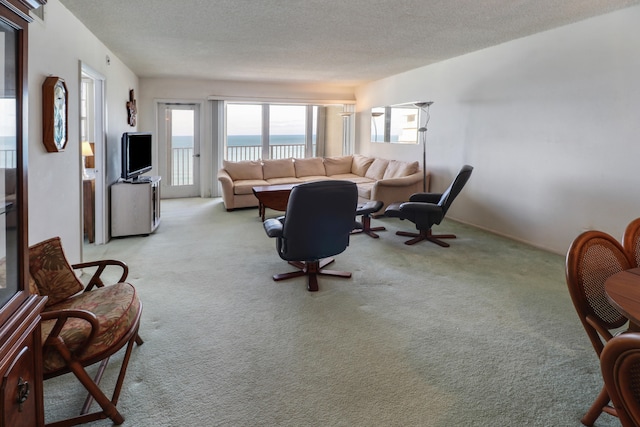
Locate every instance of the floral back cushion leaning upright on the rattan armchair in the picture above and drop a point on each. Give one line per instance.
(52, 272)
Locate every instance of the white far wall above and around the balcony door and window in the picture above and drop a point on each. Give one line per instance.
(154, 90)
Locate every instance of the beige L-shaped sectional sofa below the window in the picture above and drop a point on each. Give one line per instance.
(377, 179)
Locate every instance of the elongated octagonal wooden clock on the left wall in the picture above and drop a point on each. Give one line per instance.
(54, 114)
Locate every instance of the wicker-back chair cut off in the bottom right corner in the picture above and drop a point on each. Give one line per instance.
(620, 363)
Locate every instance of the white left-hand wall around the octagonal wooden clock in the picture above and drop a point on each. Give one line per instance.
(56, 47)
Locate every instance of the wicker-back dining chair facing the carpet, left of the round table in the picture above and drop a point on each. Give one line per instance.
(593, 257)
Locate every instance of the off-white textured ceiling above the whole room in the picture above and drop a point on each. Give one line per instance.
(342, 42)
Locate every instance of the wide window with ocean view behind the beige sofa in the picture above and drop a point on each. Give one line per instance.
(271, 131)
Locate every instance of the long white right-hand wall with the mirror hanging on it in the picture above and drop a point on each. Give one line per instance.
(550, 123)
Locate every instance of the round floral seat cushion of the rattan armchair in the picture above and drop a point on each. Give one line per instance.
(117, 308)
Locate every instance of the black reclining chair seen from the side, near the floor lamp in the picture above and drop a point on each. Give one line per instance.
(428, 209)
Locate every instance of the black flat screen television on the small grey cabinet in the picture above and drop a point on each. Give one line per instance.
(136, 155)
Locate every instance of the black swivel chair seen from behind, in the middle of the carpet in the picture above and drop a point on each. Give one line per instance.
(317, 223)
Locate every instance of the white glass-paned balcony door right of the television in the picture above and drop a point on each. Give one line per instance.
(179, 149)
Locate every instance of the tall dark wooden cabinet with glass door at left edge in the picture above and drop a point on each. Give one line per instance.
(21, 401)
